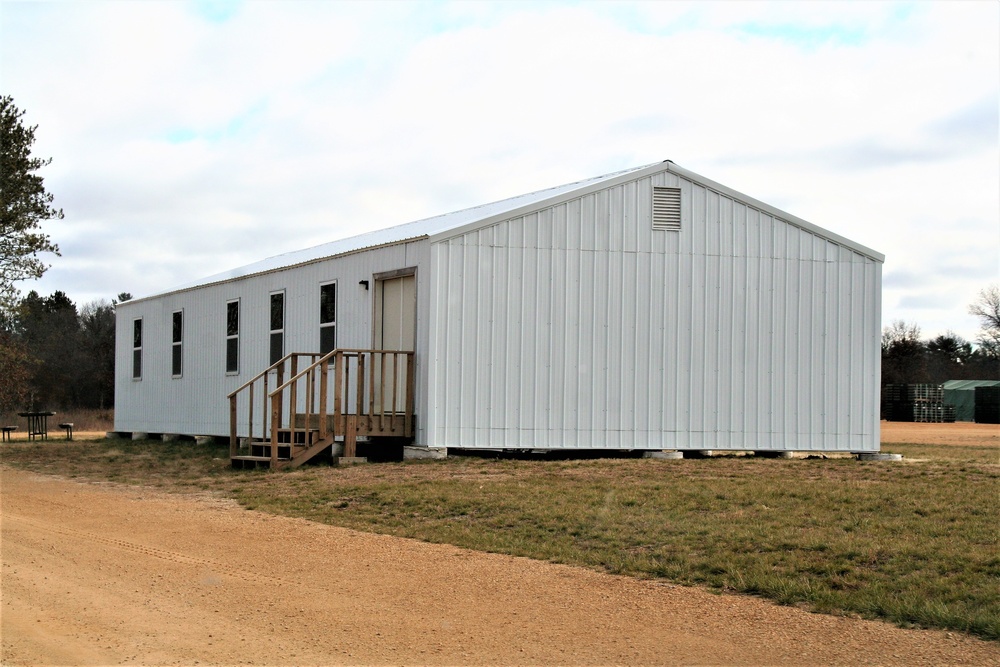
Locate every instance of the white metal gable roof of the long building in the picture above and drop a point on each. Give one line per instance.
(457, 222)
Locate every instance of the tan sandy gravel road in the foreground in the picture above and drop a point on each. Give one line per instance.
(103, 575)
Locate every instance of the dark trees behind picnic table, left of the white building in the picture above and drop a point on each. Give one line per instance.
(56, 356)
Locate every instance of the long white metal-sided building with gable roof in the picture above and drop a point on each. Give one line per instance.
(647, 309)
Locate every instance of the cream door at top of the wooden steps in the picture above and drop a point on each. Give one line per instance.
(395, 329)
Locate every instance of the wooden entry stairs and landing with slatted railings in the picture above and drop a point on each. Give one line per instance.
(334, 399)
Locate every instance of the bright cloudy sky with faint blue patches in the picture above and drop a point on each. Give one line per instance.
(188, 138)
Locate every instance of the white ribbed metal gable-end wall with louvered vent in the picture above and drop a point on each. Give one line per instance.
(581, 327)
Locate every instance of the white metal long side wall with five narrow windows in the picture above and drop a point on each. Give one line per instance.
(196, 403)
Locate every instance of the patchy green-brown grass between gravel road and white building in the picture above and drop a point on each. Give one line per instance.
(915, 543)
